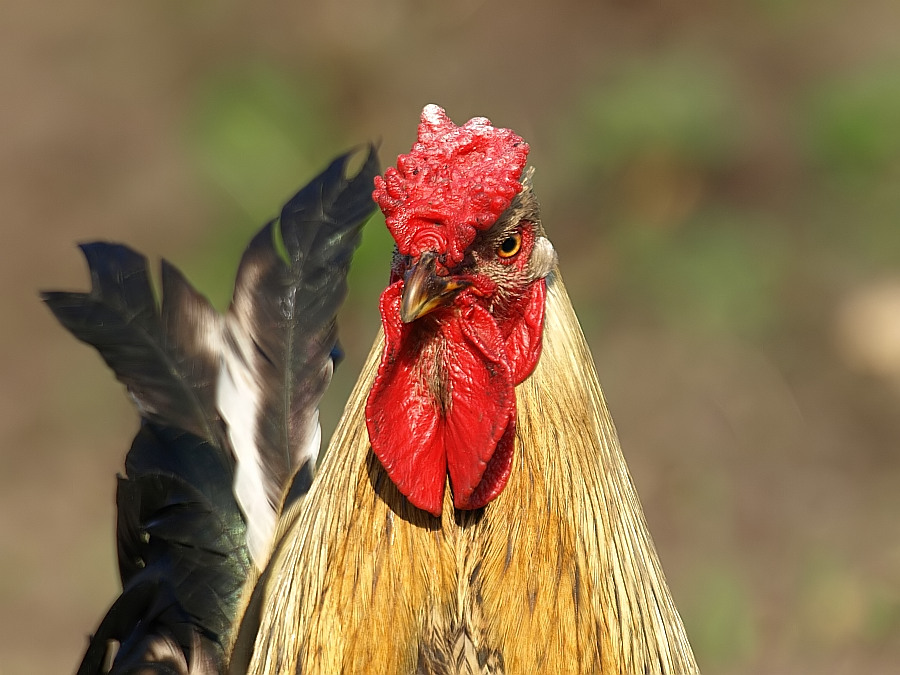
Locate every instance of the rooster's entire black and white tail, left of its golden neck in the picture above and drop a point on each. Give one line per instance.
(194, 523)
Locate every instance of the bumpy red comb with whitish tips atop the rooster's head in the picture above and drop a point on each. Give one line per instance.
(455, 181)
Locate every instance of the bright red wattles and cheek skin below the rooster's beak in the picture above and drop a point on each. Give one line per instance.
(474, 359)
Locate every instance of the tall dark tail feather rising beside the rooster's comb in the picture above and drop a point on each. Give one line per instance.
(281, 325)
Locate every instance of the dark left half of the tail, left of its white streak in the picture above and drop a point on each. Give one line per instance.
(182, 552)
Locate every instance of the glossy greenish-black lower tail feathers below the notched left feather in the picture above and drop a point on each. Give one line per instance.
(183, 558)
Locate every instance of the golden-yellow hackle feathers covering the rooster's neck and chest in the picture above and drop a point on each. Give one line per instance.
(557, 575)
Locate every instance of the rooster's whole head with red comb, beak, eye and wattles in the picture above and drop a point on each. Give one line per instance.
(463, 314)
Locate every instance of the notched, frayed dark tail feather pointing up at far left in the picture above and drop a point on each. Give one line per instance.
(164, 356)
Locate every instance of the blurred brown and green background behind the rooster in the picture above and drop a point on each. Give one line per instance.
(721, 180)
